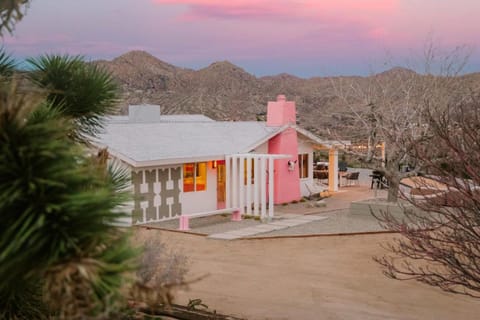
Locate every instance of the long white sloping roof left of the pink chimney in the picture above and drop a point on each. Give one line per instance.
(169, 142)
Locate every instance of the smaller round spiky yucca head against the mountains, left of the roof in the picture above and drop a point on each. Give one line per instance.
(83, 92)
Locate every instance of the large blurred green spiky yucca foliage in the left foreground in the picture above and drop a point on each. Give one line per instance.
(57, 209)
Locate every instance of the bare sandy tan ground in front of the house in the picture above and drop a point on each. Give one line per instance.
(328, 277)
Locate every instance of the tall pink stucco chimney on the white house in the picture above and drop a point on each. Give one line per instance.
(287, 182)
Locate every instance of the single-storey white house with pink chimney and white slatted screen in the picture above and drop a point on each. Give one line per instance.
(191, 164)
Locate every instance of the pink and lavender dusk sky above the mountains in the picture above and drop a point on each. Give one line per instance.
(301, 37)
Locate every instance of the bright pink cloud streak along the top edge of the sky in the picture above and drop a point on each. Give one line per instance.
(344, 18)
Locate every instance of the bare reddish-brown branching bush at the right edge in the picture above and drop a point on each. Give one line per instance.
(440, 243)
